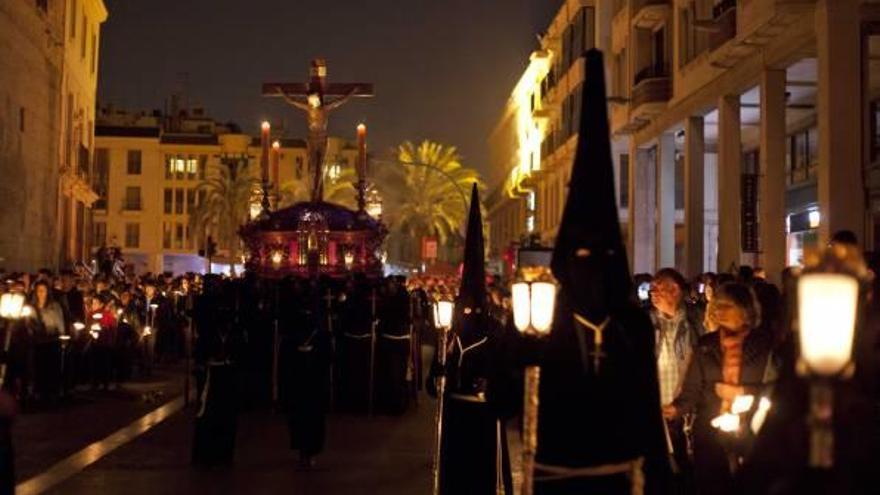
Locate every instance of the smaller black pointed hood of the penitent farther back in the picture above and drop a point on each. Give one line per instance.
(472, 292)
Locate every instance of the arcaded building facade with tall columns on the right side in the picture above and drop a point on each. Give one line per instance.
(744, 130)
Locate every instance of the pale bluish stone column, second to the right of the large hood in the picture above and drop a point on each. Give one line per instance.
(665, 193)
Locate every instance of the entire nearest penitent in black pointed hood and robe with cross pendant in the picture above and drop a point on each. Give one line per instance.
(599, 428)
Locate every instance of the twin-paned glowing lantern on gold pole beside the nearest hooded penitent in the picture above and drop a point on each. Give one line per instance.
(534, 300)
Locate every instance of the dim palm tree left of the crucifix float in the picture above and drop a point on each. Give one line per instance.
(227, 198)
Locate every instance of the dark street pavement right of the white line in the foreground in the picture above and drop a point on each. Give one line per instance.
(380, 455)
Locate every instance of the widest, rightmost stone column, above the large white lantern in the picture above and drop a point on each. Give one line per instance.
(839, 96)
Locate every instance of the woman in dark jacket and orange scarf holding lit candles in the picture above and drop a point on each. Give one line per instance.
(733, 361)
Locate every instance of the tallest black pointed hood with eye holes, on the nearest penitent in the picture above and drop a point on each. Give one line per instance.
(589, 258)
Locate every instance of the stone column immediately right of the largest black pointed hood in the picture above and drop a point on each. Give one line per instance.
(641, 210)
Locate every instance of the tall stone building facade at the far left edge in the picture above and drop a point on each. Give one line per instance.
(48, 75)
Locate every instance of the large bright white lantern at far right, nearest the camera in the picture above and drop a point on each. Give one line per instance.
(828, 307)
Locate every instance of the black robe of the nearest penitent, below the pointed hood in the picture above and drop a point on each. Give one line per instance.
(588, 418)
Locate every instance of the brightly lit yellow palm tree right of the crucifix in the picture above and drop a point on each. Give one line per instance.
(427, 196)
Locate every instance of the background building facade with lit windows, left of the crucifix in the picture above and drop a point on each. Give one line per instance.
(148, 169)
